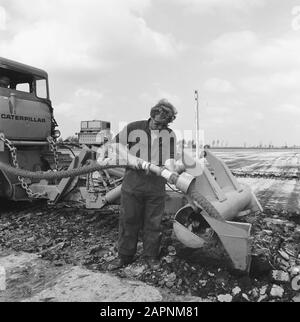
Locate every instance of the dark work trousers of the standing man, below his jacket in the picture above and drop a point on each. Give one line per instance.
(140, 211)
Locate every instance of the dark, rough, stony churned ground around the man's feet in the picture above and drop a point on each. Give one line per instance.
(67, 239)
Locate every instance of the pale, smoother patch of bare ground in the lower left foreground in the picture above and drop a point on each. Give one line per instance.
(31, 279)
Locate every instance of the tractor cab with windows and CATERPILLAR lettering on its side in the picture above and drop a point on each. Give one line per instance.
(25, 106)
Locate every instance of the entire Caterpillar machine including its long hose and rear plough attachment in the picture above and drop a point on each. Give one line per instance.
(205, 190)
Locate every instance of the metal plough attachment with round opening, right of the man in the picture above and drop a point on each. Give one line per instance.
(217, 197)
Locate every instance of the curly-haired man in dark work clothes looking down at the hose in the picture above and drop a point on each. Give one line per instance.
(143, 194)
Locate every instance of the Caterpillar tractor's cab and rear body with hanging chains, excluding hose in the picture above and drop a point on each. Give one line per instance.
(27, 125)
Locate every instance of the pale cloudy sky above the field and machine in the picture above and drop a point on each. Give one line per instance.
(113, 60)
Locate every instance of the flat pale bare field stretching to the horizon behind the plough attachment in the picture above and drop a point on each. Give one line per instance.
(273, 175)
